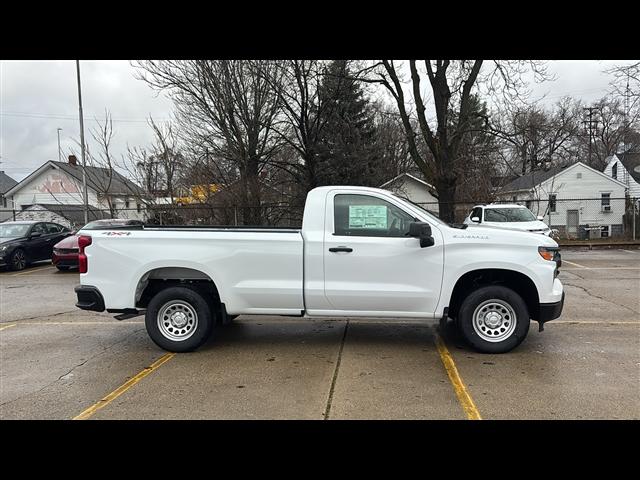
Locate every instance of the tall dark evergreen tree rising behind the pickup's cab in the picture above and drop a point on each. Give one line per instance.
(347, 153)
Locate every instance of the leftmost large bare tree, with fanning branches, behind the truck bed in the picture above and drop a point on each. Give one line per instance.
(227, 110)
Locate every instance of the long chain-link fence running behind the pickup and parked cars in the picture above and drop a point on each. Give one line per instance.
(574, 219)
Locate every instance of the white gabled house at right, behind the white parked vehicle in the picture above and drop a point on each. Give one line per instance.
(579, 201)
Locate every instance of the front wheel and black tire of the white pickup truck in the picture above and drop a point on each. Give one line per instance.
(495, 299)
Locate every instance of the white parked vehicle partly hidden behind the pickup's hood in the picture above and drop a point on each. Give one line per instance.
(507, 215)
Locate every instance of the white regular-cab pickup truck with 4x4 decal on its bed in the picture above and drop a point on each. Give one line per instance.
(361, 252)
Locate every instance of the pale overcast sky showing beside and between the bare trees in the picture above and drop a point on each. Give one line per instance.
(37, 97)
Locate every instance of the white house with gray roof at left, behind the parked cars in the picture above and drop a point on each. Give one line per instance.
(60, 183)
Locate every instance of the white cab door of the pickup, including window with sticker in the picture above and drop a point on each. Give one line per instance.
(371, 266)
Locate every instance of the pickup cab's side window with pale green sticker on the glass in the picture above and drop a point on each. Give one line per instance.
(366, 216)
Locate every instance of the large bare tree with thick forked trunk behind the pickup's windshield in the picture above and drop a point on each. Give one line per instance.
(451, 84)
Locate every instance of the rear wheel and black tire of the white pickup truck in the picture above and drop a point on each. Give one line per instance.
(181, 300)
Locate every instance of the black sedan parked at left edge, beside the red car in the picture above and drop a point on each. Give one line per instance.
(25, 242)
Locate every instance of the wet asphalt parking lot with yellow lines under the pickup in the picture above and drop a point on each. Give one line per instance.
(58, 362)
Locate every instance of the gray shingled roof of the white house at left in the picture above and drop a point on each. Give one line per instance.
(98, 179)
